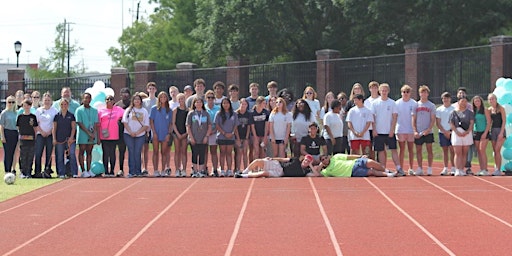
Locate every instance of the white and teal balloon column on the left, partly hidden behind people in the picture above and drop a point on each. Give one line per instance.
(98, 95)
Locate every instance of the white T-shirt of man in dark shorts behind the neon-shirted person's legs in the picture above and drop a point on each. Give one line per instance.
(383, 111)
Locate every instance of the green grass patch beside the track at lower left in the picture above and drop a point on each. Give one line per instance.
(21, 186)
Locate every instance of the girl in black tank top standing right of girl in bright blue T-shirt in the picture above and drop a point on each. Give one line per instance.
(180, 137)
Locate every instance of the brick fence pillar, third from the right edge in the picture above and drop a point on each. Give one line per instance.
(326, 72)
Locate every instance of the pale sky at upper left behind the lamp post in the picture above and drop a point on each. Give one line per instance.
(96, 26)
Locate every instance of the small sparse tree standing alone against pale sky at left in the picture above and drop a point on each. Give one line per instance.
(55, 65)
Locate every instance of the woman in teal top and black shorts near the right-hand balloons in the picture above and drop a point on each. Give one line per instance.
(481, 132)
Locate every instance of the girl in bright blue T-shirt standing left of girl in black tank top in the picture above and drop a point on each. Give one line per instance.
(160, 120)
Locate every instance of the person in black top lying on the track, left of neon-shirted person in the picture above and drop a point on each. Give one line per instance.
(278, 167)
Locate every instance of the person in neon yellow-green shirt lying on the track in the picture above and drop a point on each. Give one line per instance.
(342, 165)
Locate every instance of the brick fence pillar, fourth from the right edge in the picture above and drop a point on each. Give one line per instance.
(238, 74)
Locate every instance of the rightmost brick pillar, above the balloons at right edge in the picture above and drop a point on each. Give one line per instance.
(501, 58)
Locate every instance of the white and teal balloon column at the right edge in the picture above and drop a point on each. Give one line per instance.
(503, 93)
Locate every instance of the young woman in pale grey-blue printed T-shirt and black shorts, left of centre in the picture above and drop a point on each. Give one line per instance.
(198, 125)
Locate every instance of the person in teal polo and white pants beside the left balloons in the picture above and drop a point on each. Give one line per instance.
(87, 121)
